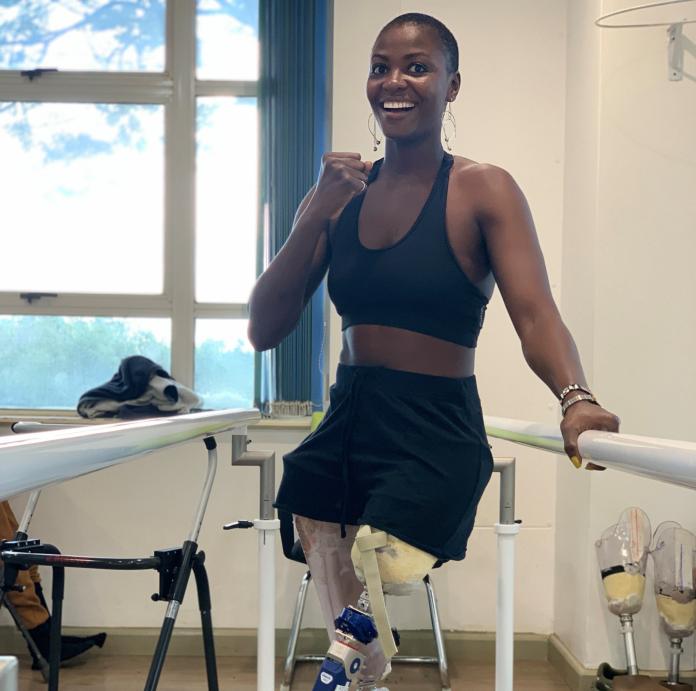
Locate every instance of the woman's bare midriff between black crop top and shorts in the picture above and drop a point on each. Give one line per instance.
(371, 345)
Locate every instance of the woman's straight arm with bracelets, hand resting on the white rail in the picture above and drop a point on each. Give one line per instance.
(520, 272)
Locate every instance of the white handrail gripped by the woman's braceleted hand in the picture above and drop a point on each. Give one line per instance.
(668, 460)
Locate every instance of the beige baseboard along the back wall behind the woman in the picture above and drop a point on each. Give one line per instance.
(461, 645)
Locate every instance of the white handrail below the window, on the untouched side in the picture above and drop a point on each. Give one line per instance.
(32, 461)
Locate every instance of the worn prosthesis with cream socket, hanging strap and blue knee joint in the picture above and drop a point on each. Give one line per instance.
(384, 564)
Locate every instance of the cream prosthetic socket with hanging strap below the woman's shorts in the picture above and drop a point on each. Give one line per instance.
(386, 564)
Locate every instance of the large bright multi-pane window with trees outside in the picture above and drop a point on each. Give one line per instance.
(128, 181)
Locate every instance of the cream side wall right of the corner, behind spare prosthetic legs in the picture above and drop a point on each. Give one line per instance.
(629, 287)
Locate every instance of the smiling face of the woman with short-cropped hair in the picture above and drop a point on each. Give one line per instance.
(409, 83)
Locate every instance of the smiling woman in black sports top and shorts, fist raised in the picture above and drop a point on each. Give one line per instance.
(414, 246)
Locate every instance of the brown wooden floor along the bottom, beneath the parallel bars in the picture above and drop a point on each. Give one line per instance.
(109, 673)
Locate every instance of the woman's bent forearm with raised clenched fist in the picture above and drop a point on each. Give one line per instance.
(282, 291)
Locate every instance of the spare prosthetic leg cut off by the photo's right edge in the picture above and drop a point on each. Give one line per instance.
(673, 556)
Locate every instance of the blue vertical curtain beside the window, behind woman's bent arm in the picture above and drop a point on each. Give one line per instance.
(295, 39)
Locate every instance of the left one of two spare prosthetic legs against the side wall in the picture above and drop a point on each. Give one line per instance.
(622, 552)
